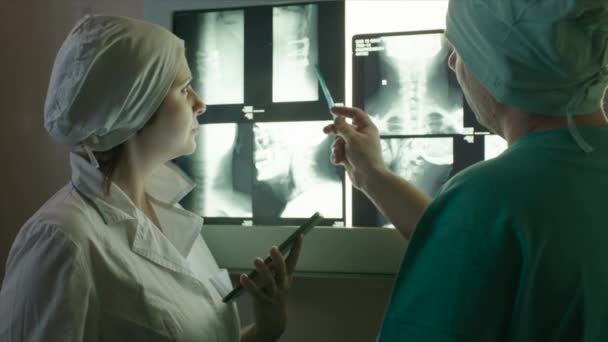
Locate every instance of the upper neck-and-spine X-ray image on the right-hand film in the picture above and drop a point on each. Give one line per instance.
(417, 93)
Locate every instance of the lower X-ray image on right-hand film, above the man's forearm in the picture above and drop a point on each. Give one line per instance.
(424, 162)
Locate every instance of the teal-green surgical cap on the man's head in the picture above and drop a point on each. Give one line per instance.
(547, 56)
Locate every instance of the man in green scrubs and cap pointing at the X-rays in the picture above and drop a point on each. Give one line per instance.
(514, 248)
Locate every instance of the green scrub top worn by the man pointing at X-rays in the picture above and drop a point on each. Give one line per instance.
(513, 249)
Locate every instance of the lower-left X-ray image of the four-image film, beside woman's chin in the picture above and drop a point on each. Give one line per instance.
(211, 167)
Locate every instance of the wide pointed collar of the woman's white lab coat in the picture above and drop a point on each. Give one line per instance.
(167, 186)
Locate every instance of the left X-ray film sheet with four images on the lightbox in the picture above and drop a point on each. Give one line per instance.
(262, 157)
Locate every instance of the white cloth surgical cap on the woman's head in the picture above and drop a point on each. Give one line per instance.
(110, 75)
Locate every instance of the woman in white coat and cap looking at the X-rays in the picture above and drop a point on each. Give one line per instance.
(112, 256)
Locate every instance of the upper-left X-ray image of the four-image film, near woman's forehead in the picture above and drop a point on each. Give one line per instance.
(219, 57)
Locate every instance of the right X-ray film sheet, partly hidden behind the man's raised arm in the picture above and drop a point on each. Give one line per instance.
(428, 133)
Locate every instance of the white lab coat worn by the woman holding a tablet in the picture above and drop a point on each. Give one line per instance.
(91, 268)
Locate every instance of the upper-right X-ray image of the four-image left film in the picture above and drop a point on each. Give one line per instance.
(294, 53)
